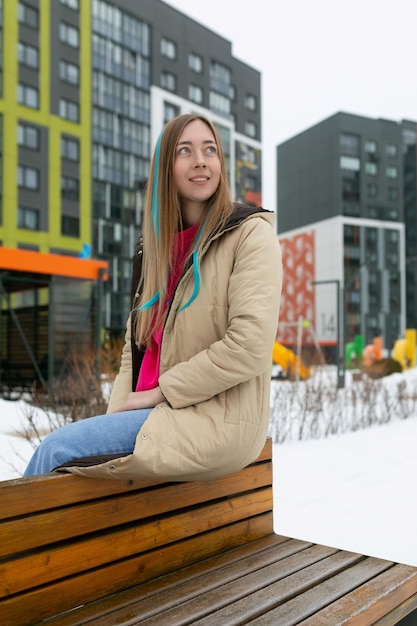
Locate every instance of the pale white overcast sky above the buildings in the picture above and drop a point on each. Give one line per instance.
(317, 57)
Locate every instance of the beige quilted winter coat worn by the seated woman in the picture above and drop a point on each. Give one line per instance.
(216, 359)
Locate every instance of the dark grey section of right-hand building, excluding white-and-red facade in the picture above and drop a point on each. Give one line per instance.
(364, 171)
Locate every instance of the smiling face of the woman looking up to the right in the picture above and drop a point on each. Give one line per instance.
(197, 166)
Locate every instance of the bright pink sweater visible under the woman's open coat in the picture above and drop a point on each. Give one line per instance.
(149, 371)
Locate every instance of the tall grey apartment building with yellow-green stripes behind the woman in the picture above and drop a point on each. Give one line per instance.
(85, 88)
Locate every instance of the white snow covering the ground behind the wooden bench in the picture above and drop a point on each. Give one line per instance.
(353, 491)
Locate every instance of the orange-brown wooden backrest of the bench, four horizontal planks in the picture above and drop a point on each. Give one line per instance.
(67, 540)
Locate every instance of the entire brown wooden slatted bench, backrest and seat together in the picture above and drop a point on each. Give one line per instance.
(85, 551)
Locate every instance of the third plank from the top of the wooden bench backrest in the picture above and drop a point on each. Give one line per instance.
(58, 561)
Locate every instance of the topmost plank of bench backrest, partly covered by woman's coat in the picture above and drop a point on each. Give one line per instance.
(22, 496)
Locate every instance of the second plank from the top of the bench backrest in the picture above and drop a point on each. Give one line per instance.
(56, 525)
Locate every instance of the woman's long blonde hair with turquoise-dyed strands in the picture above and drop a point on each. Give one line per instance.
(162, 220)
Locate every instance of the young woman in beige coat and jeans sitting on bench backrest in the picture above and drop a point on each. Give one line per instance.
(191, 399)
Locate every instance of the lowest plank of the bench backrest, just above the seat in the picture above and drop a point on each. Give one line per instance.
(46, 601)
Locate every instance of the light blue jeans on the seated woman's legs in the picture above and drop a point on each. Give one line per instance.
(113, 433)
